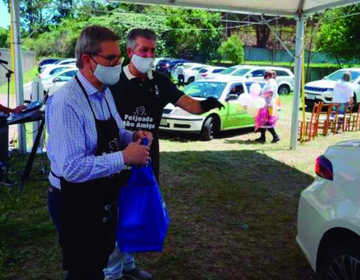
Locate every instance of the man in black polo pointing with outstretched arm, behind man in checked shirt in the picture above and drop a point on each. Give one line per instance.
(140, 97)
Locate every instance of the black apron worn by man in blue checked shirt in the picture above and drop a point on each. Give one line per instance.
(90, 208)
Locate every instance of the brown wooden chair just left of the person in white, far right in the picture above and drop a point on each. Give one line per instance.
(327, 118)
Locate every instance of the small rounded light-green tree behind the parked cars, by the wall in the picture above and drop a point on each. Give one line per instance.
(232, 49)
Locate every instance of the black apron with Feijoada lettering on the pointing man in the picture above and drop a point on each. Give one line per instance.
(140, 108)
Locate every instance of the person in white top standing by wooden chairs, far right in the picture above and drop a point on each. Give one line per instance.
(343, 95)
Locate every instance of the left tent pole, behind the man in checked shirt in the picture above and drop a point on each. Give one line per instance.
(15, 24)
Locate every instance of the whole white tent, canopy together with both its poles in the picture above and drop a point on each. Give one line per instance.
(296, 8)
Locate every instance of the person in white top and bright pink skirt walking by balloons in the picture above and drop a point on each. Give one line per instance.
(267, 116)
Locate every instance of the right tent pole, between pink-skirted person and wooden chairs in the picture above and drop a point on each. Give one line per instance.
(300, 25)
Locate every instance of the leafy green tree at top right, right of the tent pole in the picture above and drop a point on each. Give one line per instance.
(340, 32)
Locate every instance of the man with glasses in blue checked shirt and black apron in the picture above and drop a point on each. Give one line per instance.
(89, 150)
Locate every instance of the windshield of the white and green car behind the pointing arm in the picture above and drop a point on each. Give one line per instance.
(205, 89)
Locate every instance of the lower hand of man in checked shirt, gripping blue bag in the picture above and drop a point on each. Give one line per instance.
(135, 153)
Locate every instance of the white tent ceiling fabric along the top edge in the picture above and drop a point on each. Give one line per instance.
(278, 7)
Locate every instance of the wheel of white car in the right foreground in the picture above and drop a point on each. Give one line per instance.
(342, 263)
